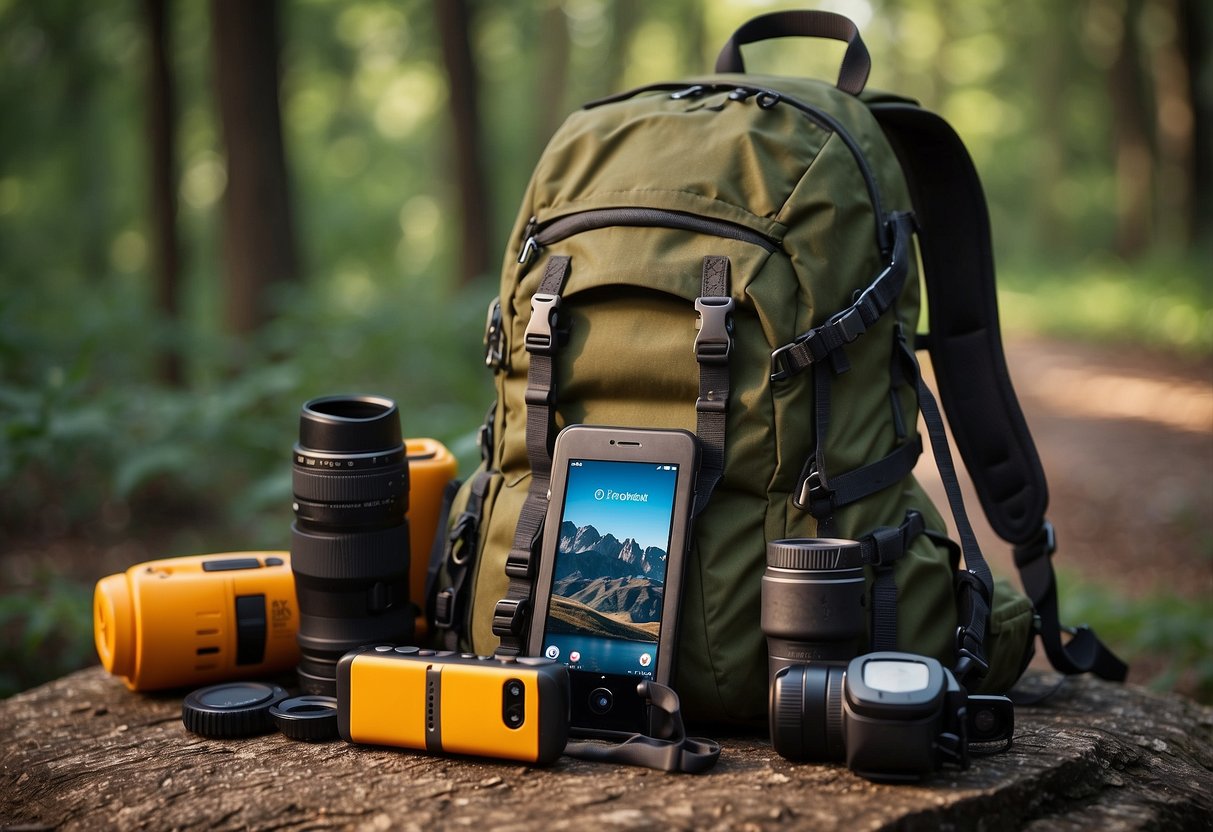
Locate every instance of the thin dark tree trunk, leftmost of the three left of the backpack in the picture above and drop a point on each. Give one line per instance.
(163, 180)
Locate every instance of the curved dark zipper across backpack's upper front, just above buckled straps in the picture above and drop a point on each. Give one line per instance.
(539, 237)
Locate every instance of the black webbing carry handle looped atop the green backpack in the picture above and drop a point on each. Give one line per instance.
(857, 64)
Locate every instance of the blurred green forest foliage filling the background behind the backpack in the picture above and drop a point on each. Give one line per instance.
(89, 430)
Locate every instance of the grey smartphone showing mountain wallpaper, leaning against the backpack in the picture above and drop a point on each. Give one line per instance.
(612, 567)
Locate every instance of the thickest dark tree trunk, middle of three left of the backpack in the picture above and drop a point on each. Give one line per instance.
(259, 240)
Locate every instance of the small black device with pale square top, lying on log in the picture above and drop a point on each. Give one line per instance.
(891, 716)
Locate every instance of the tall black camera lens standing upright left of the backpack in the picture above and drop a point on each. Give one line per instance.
(350, 542)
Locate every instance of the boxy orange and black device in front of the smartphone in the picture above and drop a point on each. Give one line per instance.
(455, 704)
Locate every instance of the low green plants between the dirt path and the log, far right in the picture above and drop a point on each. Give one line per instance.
(1170, 635)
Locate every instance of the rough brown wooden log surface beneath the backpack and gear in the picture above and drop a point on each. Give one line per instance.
(84, 754)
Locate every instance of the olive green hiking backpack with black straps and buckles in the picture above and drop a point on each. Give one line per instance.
(734, 255)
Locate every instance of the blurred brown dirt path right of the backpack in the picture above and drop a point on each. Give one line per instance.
(1127, 446)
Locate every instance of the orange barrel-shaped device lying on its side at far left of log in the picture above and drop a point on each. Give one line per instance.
(197, 620)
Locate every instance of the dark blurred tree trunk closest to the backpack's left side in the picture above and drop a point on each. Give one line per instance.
(454, 24)
